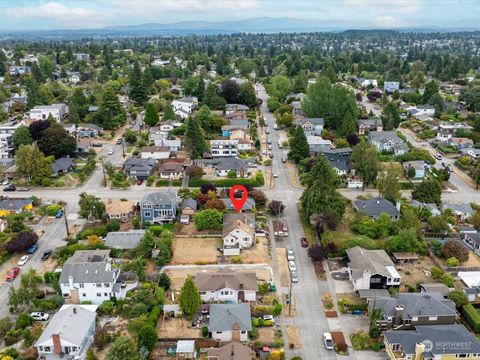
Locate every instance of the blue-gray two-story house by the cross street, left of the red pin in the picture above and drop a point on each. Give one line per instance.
(159, 207)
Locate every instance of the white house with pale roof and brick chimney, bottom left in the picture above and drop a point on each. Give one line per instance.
(68, 334)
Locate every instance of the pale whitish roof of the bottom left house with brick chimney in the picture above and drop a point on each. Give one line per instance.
(71, 322)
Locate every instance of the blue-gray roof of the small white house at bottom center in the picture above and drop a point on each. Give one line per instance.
(224, 317)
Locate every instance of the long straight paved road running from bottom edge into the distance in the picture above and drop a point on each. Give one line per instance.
(310, 316)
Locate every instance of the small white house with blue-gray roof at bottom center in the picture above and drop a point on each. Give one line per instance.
(230, 322)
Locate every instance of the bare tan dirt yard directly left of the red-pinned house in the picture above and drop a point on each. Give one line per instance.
(195, 251)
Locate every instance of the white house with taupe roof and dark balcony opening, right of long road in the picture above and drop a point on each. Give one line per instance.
(371, 269)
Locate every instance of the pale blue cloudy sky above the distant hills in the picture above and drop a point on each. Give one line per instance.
(88, 14)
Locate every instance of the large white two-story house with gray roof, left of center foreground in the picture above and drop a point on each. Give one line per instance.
(90, 279)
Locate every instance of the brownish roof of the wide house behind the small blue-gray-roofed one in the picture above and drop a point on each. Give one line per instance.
(226, 278)
